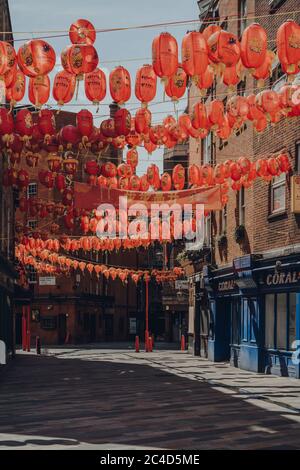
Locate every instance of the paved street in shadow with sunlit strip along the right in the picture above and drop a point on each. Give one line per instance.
(119, 399)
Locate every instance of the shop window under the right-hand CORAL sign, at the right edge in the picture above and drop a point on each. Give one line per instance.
(280, 321)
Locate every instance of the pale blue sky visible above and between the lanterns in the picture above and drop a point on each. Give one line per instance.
(31, 18)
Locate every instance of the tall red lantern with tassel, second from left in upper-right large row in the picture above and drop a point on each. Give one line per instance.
(194, 54)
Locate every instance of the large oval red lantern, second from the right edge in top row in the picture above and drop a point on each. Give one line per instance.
(254, 46)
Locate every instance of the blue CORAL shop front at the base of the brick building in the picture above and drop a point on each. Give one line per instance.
(255, 314)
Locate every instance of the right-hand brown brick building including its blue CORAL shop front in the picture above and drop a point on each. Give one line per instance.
(244, 296)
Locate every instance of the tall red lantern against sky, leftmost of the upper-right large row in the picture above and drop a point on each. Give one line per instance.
(165, 56)
